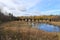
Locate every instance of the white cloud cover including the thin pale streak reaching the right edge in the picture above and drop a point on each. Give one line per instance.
(20, 7)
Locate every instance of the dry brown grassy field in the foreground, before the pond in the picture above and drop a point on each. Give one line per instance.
(16, 31)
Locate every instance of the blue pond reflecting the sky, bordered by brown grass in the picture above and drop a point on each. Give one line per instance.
(46, 27)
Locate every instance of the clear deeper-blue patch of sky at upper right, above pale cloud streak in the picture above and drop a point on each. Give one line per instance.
(46, 5)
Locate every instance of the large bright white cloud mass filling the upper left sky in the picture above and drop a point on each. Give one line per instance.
(17, 6)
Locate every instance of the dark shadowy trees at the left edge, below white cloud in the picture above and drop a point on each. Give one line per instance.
(5, 18)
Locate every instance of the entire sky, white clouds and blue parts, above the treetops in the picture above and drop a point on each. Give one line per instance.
(30, 7)
